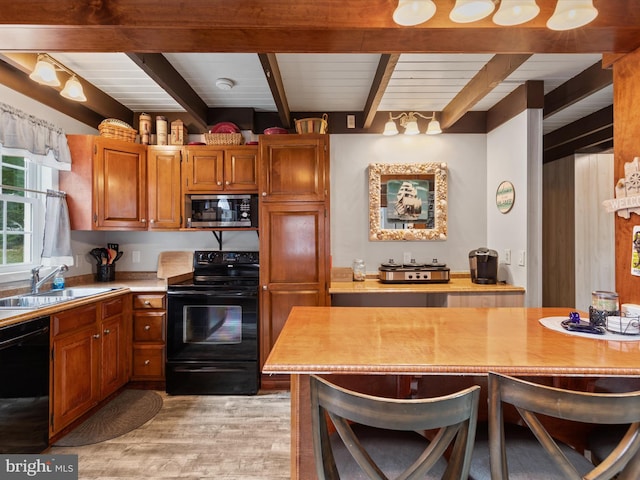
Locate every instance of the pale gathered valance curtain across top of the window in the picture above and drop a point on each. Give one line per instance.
(35, 139)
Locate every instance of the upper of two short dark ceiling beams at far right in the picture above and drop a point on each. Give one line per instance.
(586, 83)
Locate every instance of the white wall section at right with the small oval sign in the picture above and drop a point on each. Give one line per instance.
(519, 230)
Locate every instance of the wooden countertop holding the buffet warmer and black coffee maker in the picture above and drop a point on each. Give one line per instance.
(464, 284)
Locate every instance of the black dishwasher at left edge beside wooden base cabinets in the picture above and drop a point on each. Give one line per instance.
(24, 386)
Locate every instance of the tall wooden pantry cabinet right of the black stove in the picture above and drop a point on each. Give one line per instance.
(294, 232)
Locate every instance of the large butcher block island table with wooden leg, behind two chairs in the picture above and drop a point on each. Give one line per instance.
(381, 349)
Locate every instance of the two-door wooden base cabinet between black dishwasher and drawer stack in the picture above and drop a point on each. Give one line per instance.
(90, 357)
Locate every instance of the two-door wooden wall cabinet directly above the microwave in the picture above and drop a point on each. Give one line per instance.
(230, 169)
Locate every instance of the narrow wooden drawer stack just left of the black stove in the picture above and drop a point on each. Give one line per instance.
(149, 334)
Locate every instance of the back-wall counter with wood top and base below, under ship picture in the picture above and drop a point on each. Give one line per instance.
(460, 291)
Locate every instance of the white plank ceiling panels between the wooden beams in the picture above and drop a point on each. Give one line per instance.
(330, 82)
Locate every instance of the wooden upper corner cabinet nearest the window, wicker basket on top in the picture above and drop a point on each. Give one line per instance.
(107, 185)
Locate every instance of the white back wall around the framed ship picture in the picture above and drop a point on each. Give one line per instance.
(466, 159)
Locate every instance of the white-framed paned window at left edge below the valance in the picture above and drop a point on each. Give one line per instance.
(22, 211)
